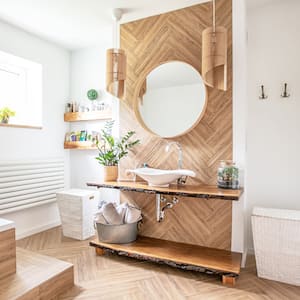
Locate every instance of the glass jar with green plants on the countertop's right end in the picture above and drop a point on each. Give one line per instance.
(228, 175)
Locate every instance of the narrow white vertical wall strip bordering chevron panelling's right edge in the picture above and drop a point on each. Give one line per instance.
(239, 121)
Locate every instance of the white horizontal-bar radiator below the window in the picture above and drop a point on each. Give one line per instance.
(24, 184)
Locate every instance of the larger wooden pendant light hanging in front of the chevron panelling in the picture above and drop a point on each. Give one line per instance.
(214, 55)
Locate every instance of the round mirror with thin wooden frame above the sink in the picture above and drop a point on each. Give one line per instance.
(171, 100)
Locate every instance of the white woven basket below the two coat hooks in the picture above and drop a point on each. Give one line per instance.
(276, 236)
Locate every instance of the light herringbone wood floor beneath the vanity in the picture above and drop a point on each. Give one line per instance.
(112, 277)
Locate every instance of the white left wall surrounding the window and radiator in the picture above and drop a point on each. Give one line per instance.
(18, 143)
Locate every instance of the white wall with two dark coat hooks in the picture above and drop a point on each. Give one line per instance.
(273, 144)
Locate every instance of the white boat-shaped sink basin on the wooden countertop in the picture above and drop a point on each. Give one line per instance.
(158, 177)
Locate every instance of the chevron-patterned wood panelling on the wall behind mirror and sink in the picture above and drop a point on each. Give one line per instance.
(148, 43)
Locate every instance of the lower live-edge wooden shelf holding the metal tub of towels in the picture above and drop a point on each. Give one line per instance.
(180, 255)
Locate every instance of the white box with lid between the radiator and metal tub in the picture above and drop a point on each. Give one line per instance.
(77, 208)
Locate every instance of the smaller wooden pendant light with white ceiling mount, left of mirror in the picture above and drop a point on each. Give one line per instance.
(116, 63)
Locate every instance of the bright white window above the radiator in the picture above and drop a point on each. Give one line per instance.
(21, 89)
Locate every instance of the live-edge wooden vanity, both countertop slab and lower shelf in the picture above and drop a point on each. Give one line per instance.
(181, 255)
